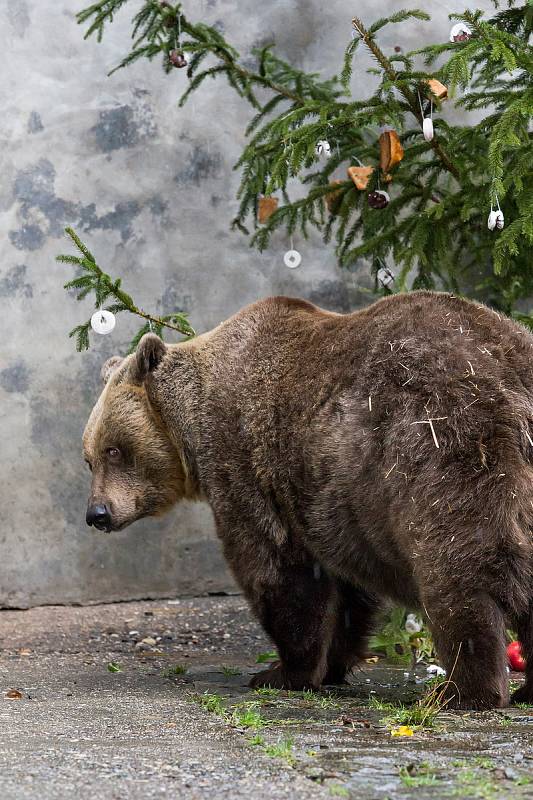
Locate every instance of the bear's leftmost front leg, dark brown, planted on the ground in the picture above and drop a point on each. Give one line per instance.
(298, 613)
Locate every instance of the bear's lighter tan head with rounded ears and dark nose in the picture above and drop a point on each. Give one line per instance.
(137, 471)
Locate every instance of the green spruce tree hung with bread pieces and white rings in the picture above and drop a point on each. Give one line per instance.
(433, 231)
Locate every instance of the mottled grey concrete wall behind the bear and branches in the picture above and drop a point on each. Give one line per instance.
(152, 191)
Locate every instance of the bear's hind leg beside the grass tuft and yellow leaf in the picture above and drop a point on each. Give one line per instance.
(469, 634)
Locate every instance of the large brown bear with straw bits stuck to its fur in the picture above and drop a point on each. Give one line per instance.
(349, 458)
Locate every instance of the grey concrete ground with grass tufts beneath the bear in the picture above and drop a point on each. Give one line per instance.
(177, 719)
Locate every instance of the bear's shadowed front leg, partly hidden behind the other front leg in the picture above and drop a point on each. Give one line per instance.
(355, 616)
